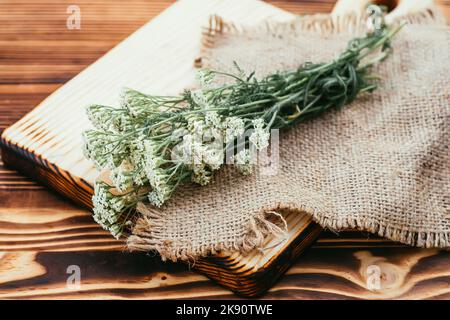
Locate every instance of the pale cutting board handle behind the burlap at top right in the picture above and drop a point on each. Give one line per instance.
(397, 8)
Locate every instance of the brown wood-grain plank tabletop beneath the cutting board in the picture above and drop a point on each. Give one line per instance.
(41, 234)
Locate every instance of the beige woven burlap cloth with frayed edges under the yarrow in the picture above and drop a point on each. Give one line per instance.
(381, 164)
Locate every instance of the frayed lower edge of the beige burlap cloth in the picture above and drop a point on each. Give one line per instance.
(148, 235)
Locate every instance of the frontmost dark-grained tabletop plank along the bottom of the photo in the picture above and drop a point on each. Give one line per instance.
(407, 273)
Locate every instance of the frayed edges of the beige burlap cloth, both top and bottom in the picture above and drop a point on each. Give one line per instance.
(147, 232)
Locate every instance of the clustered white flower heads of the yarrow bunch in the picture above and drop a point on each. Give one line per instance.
(150, 145)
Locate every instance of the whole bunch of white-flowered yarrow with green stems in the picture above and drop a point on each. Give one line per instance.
(149, 145)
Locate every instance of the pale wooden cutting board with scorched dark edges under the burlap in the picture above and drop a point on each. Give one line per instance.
(46, 143)
